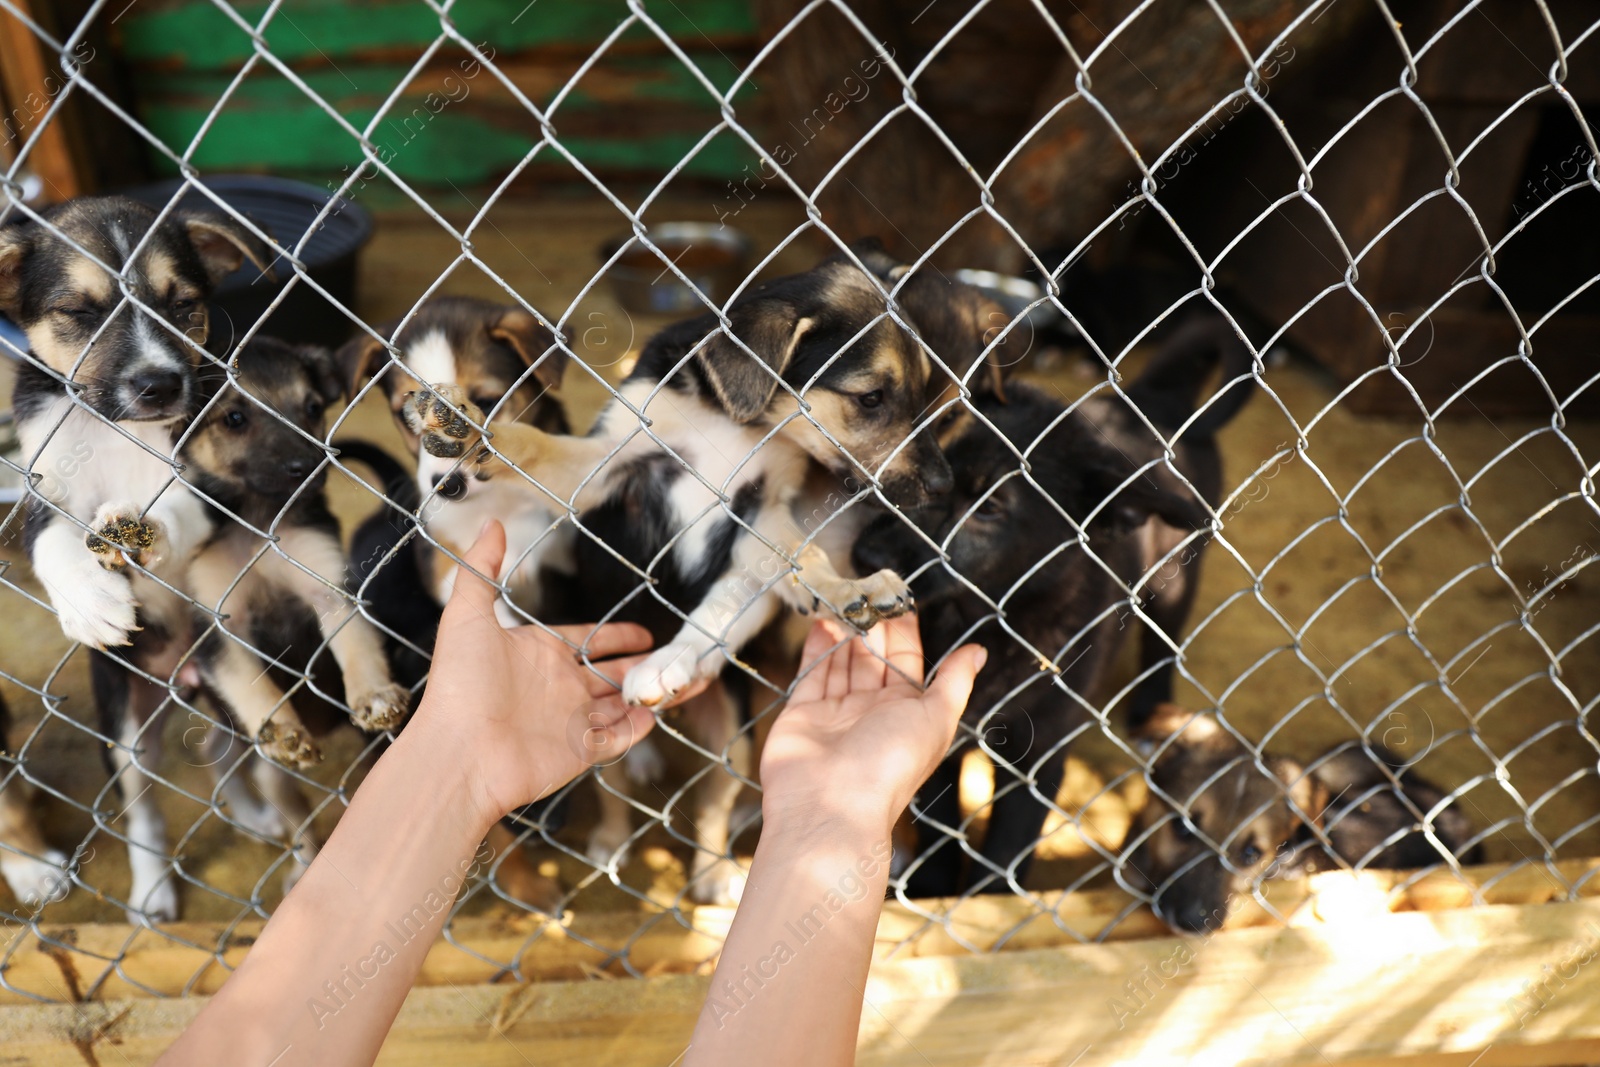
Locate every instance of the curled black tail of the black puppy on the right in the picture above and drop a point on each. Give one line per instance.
(1169, 391)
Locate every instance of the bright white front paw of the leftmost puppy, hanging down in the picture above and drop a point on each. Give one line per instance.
(94, 605)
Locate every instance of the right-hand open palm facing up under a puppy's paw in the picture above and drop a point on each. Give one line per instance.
(860, 733)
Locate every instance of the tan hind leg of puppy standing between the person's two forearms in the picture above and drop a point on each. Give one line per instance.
(714, 876)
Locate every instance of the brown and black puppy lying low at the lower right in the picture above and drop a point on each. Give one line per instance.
(1246, 826)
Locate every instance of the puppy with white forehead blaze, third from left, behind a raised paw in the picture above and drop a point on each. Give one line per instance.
(510, 366)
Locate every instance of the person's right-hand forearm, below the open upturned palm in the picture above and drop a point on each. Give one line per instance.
(790, 985)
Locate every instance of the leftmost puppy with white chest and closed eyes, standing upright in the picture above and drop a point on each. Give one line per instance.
(114, 308)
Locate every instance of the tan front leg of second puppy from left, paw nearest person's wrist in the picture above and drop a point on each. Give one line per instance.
(377, 703)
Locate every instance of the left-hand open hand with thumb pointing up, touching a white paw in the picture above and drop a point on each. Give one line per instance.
(521, 708)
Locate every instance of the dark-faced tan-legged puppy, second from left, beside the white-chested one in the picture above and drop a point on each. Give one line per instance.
(274, 577)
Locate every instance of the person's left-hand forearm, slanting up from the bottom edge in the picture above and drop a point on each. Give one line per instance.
(337, 961)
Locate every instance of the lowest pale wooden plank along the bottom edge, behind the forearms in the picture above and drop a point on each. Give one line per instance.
(1390, 989)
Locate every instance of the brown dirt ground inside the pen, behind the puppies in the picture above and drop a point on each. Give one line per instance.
(1366, 581)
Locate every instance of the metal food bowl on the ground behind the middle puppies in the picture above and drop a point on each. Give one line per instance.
(711, 257)
